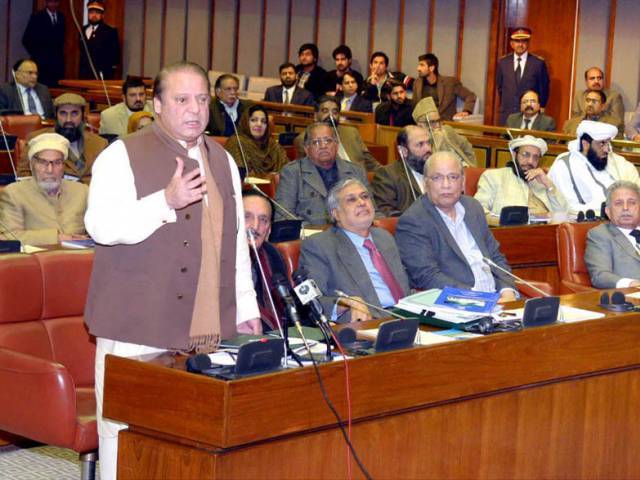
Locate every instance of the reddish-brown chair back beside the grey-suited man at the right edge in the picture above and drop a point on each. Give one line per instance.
(571, 239)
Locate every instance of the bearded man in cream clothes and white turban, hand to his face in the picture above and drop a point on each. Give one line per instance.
(521, 183)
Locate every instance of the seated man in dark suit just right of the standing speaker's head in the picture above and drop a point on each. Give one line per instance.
(226, 108)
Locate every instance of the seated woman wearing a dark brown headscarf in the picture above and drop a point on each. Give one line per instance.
(261, 152)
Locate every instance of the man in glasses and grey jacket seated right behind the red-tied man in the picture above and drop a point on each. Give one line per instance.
(305, 183)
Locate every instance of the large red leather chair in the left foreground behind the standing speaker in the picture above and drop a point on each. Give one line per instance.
(46, 354)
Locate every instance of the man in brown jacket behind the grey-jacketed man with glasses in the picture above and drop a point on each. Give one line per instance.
(351, 147)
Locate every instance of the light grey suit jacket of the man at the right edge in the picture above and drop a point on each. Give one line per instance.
(609, 256)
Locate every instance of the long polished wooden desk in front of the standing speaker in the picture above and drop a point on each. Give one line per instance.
(561, 401)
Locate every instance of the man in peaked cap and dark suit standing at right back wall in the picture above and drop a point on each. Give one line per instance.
(519, 72)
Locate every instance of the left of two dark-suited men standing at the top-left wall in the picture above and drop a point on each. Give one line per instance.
(44, 40)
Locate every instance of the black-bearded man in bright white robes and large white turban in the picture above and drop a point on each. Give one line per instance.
(584, 172)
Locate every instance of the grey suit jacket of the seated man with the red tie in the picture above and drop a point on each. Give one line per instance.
(334, 263)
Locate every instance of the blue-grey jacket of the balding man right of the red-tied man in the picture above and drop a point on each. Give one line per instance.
(431, 255)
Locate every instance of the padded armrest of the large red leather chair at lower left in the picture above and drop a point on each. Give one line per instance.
(37, 398)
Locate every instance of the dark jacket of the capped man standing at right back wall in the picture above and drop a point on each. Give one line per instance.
(534, 77)
